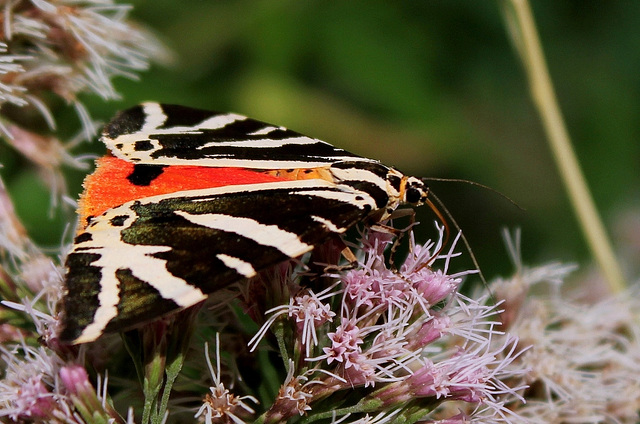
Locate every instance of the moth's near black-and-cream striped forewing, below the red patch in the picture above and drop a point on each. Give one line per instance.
(159, 254)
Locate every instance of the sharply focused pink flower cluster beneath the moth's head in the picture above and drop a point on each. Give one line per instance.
(396, 339)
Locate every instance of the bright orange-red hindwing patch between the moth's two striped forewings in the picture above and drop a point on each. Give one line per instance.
(109, 187)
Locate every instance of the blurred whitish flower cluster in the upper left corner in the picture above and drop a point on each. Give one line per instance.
(68, 47)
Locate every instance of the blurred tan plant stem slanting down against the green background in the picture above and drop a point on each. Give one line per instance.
(521, 25)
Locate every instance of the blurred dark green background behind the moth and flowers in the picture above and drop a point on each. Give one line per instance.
(432, 87)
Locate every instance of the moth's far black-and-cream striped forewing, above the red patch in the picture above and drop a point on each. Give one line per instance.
(161, 134)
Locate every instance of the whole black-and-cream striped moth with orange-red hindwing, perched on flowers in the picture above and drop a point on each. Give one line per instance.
(189, 201)
